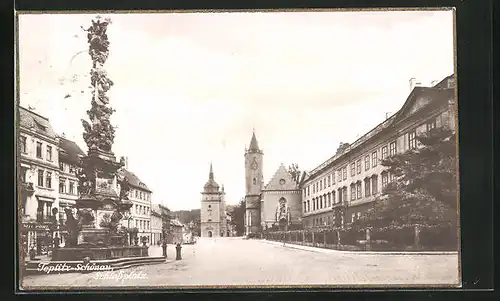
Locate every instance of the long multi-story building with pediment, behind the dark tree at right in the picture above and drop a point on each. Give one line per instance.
(341, 189)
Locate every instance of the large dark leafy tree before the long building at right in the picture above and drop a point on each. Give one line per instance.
(424, 184)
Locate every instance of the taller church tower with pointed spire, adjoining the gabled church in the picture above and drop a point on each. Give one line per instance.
(253, 185)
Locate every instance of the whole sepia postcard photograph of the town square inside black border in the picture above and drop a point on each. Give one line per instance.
(237, 149)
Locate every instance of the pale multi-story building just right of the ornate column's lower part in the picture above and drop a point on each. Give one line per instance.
(140, 212)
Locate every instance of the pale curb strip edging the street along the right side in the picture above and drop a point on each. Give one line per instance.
(324, 250)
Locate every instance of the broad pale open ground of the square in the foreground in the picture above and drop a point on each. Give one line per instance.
(226, 262)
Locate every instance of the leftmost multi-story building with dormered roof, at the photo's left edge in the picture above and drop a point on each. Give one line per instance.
(38, 170)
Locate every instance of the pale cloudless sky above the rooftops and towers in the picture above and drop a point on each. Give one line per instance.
(191, 87)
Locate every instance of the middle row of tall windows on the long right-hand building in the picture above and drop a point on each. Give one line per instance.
(336, 197)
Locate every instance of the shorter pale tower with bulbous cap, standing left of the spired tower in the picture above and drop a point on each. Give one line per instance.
(212, 206)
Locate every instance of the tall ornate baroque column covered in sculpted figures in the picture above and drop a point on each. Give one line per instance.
(97, 177)
